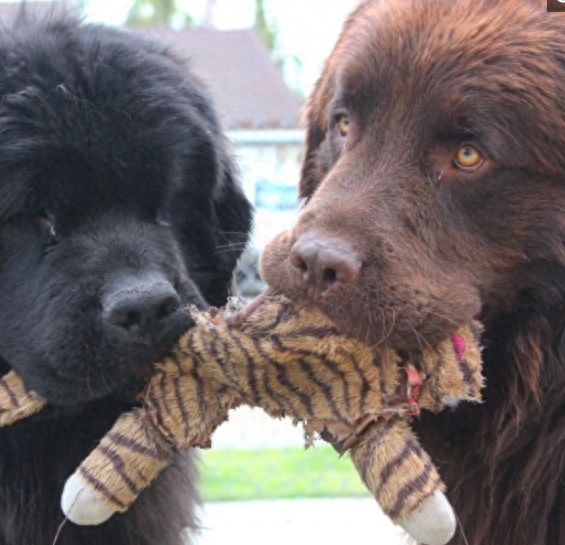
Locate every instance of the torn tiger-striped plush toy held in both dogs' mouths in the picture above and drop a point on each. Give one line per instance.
(292, 361)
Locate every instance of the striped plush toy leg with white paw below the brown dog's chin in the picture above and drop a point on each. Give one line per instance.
(404, 481)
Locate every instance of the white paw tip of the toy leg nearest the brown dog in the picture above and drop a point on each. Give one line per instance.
(433, 522)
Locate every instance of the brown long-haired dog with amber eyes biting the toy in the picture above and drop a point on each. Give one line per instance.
(434, 179)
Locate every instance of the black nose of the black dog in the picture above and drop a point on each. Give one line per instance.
(142, 302)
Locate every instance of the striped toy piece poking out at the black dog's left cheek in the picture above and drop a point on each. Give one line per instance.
(16, 401)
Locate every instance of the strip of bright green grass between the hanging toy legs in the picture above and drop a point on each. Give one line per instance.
(233, 474)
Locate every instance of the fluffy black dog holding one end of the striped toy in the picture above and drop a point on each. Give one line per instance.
(118, 206)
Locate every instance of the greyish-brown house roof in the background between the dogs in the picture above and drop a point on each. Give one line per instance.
(245, 82)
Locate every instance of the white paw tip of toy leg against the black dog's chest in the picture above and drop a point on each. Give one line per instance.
(80, 505)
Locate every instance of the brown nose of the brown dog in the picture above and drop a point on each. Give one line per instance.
(322, 262)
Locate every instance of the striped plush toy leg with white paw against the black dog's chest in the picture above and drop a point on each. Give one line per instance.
(109, 480)
